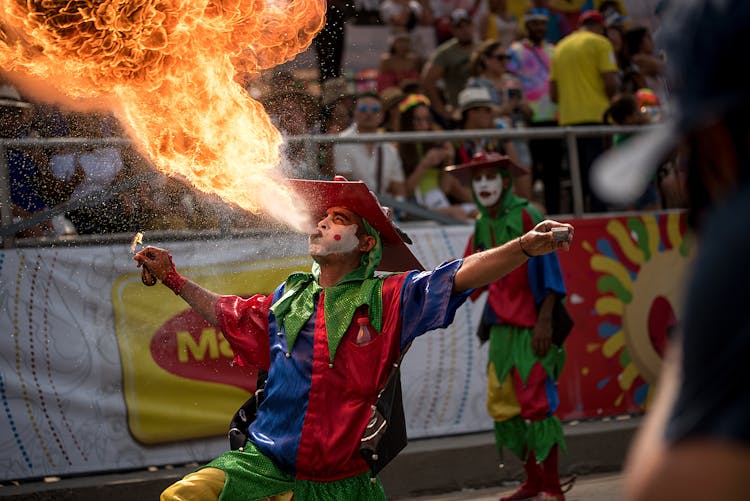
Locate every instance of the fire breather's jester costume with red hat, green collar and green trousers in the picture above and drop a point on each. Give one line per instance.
(322, 382)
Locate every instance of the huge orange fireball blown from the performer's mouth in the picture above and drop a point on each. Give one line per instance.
(169, 69)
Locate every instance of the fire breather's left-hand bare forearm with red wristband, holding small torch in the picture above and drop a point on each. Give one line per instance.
(159, 263)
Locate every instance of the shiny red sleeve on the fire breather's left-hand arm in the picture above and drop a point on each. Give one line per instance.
(244, 323)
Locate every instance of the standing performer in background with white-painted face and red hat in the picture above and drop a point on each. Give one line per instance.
(523, 364)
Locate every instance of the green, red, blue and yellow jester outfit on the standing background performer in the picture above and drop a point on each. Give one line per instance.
(521, 392)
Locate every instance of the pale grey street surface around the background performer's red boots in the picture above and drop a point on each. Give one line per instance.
(601, 487)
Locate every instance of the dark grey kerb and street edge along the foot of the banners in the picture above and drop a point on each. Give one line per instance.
(452, 468)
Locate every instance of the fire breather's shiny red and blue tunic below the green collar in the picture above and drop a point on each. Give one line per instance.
(315, 410)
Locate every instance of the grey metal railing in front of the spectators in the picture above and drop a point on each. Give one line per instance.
(8, 228)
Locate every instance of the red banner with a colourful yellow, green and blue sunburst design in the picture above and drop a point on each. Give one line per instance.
(624, 278)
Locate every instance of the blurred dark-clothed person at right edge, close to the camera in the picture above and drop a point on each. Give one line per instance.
(695, 441)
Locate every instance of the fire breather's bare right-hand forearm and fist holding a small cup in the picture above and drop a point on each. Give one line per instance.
(485, 267)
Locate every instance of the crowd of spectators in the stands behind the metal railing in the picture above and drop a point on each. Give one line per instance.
(492, 67)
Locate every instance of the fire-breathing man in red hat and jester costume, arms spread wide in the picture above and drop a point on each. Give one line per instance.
(329, 340)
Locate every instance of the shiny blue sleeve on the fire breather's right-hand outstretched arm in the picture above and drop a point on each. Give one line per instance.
(428, 301)
